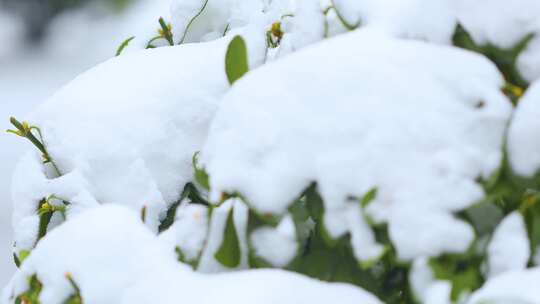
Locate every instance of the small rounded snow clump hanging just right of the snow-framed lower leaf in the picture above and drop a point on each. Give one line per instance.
(278, 246)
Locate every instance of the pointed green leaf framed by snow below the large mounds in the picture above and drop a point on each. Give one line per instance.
(228, 253)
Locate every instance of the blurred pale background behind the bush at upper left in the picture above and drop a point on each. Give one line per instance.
(30, 72)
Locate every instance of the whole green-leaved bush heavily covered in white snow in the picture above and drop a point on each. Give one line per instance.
(399, 156)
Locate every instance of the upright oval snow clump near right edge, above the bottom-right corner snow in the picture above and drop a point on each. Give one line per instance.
(509, 248)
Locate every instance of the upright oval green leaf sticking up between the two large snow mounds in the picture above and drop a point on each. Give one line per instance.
(236, 60)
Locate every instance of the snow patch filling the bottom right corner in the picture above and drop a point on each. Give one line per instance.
(514, 287)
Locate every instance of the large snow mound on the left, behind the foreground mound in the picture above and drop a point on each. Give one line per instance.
(133, 122)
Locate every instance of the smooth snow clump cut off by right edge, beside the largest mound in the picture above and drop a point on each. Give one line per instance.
(523, 134)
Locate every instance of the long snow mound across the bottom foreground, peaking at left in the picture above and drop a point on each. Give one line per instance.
(133, 266)
